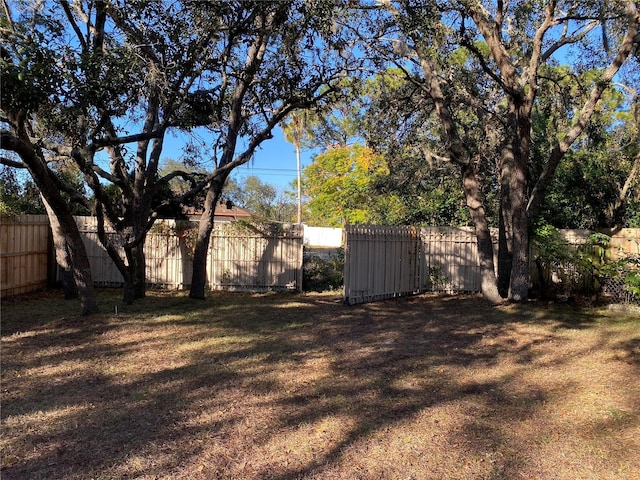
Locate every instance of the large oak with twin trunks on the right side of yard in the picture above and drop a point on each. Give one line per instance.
(482, 66)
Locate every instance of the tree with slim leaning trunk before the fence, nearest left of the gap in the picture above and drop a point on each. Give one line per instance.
(295, 55)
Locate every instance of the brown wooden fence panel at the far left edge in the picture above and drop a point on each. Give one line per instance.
(24, 250)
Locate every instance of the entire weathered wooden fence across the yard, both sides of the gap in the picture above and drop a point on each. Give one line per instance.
(380, 262)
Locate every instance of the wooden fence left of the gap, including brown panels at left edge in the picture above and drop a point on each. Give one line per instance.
(252, 258)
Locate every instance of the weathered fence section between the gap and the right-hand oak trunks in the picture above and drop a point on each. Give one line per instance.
(386, 262)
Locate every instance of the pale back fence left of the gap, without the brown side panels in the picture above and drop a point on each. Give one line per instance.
(241, 257)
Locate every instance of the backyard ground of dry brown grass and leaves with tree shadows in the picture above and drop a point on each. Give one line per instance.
(284, 386)
